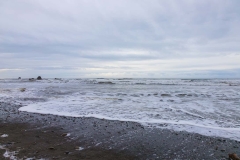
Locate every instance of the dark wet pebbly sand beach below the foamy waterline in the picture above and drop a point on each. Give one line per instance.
(41, 136)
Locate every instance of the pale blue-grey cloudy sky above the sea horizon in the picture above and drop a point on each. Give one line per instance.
(125, 38)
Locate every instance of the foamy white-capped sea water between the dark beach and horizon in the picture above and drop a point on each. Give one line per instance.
(205, 106)
